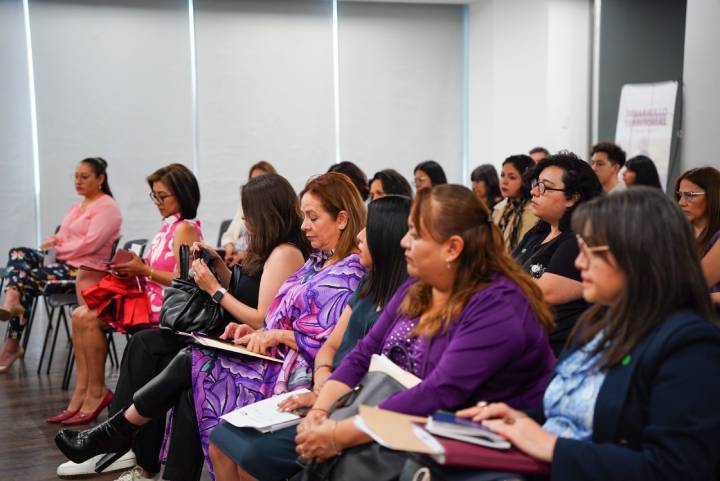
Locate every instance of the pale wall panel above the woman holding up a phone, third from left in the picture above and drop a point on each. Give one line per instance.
(265, 92)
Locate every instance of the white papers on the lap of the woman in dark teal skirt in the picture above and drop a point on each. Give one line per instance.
(264, 415)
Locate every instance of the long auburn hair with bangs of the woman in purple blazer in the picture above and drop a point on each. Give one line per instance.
(449, 210)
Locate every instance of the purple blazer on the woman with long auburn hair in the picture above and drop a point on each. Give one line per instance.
(495, 351)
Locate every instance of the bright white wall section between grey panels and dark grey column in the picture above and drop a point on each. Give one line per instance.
(529, 77)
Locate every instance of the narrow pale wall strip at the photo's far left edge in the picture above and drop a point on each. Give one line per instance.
(17, 193)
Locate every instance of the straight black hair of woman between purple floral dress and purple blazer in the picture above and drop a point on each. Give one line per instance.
(386, 226)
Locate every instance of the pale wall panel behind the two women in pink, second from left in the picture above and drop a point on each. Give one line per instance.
(111, 81)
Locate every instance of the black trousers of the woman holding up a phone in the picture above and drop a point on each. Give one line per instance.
(146, 355)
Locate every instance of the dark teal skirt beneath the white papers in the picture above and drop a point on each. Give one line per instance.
(265, 456)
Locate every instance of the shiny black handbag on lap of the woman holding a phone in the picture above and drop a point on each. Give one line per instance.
(186, 307)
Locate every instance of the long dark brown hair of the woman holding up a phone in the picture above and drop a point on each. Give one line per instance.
(271, 209)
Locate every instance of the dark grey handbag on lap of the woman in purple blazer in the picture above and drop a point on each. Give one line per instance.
(370, 462)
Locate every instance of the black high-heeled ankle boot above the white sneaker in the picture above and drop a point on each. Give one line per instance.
(114, 435)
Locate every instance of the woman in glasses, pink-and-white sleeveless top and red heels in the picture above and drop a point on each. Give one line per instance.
(176, 194)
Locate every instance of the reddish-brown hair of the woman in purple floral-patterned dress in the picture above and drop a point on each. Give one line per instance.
(337, 193)
